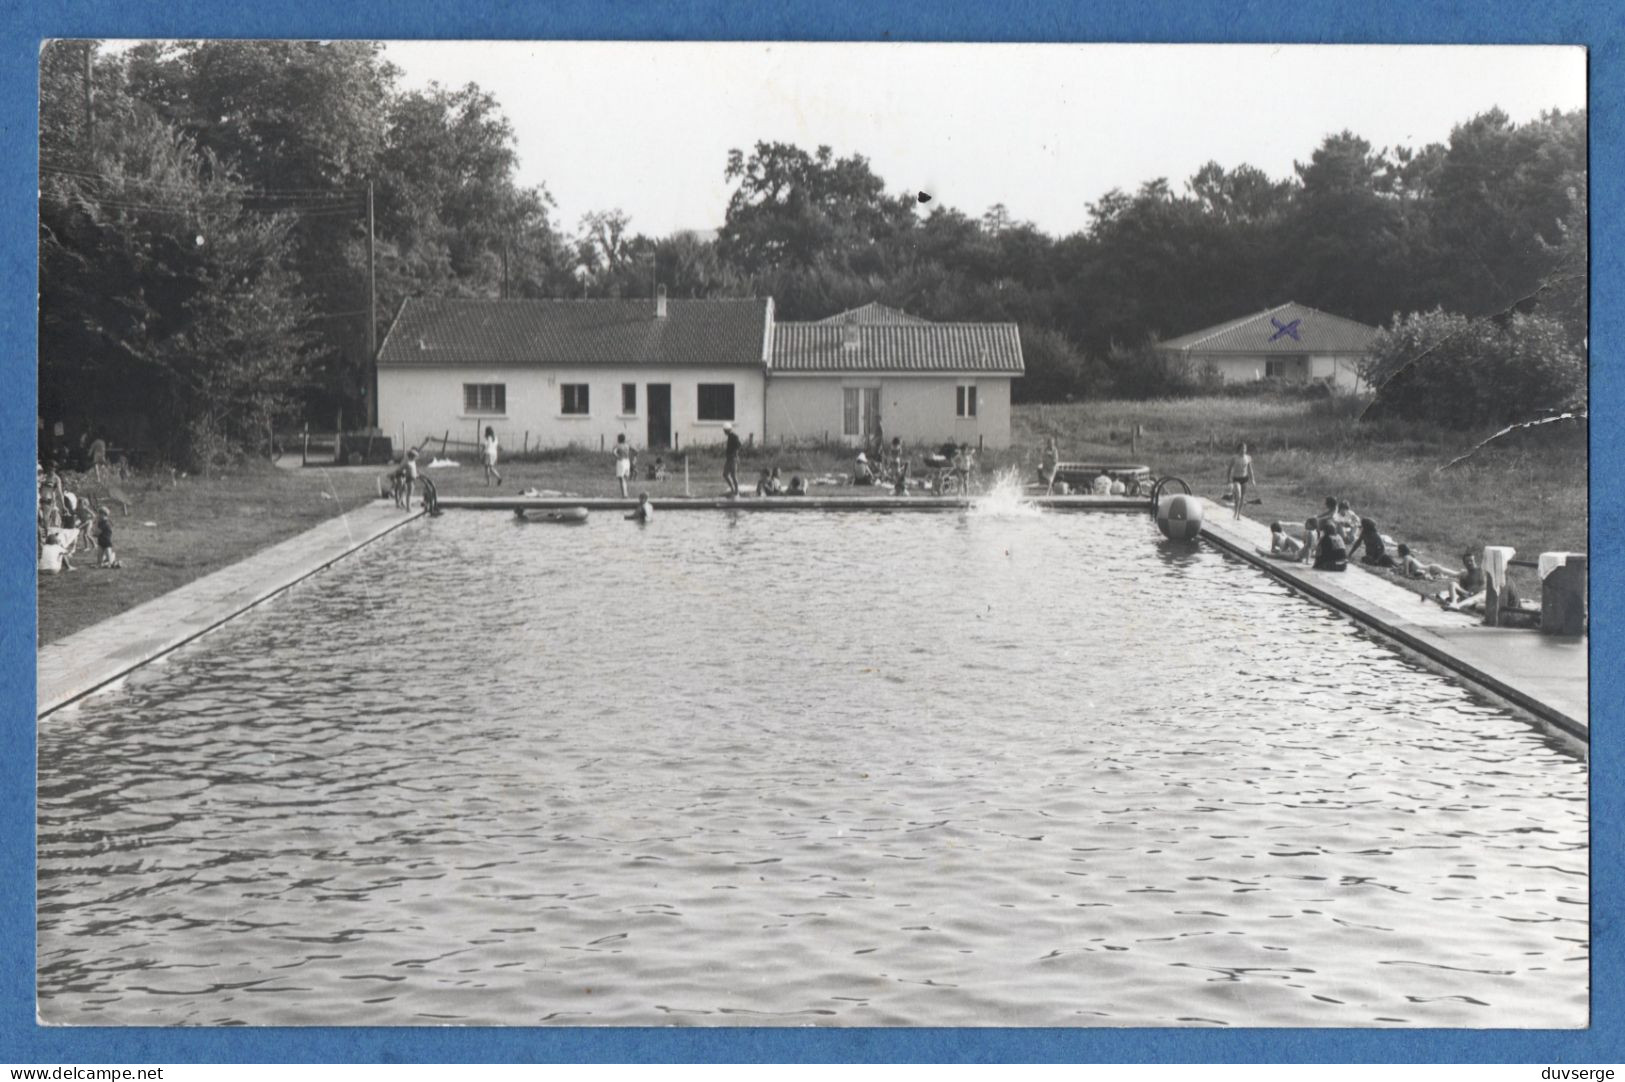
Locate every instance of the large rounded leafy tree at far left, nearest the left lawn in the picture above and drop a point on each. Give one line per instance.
(168, 306)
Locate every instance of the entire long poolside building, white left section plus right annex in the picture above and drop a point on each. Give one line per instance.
(672, 373)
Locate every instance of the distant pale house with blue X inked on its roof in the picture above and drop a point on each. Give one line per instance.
(1291, 342)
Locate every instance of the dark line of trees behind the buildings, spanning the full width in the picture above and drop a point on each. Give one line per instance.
(206, 272)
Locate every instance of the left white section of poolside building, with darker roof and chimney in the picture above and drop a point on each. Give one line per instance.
(576, 373)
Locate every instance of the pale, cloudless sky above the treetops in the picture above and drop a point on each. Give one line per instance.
(646, 128)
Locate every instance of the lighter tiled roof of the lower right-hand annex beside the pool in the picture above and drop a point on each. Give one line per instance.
(992, 348)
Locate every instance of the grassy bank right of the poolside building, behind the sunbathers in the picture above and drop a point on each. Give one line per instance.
(1528, 493)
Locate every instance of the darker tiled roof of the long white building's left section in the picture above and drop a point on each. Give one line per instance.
(435, 332)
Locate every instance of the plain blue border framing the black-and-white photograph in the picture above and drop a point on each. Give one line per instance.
(1564, 22)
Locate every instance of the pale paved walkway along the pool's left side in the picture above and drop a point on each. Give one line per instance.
(98, 656)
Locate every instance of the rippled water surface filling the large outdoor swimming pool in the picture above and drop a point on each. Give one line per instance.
(815, 771)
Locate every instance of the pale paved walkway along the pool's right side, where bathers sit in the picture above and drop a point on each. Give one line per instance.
(1546, 675)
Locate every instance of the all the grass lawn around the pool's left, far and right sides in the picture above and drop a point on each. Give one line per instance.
(1530, 495)
